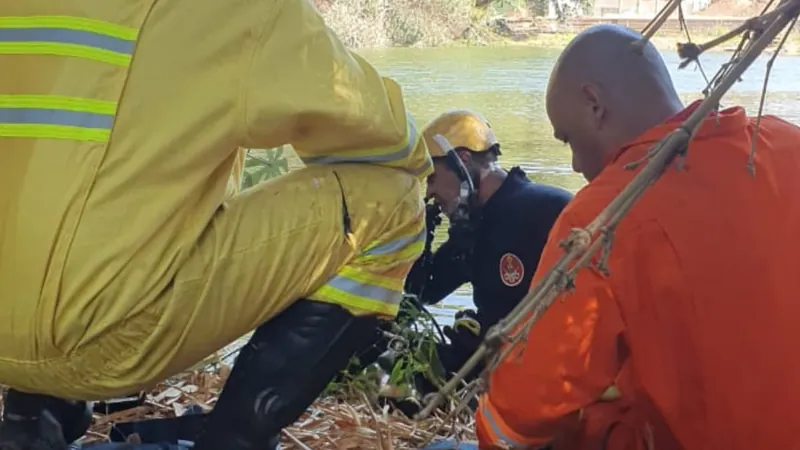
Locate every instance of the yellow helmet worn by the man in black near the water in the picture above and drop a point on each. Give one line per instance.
(458, 128)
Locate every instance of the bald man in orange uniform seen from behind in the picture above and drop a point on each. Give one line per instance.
(696, 325)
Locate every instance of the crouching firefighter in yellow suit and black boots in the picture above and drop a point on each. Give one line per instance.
(122, 261)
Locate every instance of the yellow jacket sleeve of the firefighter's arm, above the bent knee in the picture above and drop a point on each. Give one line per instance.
(307, 89)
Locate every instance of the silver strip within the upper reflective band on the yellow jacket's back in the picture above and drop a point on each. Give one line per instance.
(67, 36)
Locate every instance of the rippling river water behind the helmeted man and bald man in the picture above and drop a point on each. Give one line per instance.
(507, 85)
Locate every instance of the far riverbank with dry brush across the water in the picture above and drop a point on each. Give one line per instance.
(374, 24)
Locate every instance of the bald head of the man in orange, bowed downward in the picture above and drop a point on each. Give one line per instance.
(603, 93)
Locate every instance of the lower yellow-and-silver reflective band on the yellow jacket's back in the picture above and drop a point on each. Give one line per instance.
(56, 117)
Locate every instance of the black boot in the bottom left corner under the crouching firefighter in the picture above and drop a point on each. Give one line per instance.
(28, 417)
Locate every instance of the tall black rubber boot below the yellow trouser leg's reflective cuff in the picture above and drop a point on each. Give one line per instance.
(283, 368)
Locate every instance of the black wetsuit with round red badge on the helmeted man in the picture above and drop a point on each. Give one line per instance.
(509, 238)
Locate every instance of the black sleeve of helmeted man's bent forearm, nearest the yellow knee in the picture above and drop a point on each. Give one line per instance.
(442, 278)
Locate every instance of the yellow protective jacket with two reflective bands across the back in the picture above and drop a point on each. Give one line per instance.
(113, 102)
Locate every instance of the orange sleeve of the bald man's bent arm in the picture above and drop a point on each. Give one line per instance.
(570, 359)
